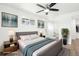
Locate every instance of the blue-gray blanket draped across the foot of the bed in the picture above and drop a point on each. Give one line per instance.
(28, 50)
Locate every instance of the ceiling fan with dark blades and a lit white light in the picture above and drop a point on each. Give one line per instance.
(47, 8)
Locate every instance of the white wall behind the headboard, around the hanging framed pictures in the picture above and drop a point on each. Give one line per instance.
(21, 14)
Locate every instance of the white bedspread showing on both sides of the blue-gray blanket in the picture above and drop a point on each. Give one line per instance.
(24, 43)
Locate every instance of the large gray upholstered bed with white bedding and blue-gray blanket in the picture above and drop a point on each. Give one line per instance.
(49, 48)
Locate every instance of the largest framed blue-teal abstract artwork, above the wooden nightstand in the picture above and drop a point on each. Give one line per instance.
(9, 20)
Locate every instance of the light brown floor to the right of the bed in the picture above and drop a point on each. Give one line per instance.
(71, 50)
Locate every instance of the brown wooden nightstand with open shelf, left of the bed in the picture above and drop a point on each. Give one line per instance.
(10, 46)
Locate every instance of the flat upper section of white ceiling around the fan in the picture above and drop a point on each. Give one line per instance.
(32, 7)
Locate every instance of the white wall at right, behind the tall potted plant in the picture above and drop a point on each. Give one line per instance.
(67, 21)
